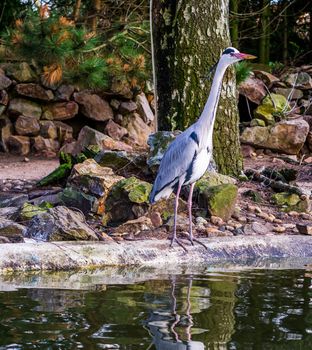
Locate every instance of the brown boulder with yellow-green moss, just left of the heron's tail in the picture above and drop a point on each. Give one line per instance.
(127, 200)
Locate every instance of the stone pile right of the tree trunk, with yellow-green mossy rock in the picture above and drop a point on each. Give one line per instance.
(282, 118)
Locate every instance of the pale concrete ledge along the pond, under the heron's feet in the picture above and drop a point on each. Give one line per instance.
(151, 253)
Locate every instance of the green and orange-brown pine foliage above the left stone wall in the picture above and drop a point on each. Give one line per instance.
(64, 52)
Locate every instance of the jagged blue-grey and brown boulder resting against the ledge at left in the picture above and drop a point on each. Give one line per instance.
(60, 224)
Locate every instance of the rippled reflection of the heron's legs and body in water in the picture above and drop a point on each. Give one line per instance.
(163, 325)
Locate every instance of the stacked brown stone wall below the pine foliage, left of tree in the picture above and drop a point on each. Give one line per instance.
(39, 120)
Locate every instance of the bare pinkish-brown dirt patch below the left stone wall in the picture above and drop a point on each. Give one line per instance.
(21, 168)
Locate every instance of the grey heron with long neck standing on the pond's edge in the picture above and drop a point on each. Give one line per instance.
(188, 156)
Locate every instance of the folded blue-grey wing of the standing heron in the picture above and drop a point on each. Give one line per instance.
(175, 162)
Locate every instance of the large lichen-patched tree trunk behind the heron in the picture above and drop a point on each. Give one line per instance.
(188, 38)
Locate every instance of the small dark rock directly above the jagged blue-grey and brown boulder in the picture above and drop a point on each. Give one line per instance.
(74, 198)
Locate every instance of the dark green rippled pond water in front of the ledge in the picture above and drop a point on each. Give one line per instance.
(208, 309)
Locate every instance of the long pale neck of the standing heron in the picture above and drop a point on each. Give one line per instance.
(208, 115)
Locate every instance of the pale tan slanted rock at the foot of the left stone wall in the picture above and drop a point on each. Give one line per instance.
(89, 136)
